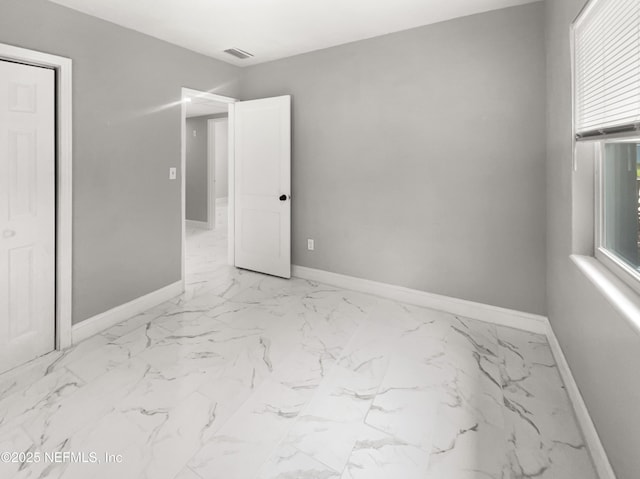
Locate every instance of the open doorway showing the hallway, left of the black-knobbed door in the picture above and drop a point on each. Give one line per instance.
(205, 185)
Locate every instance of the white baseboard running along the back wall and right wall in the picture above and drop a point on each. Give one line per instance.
(491, 314)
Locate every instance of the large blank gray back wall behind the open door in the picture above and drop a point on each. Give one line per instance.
(418, 157)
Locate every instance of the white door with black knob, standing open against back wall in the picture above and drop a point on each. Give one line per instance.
(262, 150)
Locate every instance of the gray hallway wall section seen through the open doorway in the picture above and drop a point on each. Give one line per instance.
(196, 169)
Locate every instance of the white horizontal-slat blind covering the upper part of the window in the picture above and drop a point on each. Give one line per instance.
(607, 68)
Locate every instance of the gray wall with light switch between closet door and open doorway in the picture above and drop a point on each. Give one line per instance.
(126, 135)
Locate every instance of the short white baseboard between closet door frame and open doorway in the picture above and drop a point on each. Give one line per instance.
(102, 321)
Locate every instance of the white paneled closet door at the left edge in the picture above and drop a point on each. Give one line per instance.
(27, 213)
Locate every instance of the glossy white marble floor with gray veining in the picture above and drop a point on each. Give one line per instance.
(250, 376)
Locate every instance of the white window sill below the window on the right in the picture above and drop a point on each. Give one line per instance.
(622, 297)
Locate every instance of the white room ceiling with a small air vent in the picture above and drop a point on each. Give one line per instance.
(272, 29)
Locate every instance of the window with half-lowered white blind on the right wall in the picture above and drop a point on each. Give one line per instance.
(606, 39)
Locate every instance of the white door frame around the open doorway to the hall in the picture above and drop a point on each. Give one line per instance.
(188, 93)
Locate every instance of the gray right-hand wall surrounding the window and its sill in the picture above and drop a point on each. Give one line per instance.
(603, 351)
